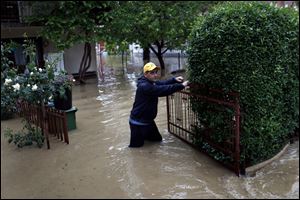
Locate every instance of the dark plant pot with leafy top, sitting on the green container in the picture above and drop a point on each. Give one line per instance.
(63, 90)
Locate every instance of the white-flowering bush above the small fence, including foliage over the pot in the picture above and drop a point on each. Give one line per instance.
(35, 85)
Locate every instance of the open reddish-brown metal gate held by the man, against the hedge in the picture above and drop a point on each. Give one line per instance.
(189, 125)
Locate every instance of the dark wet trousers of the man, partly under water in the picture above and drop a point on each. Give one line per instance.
(139, 133)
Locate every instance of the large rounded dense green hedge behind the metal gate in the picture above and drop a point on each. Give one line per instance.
(251, 48)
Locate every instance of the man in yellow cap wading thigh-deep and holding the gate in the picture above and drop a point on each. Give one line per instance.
(144, 111)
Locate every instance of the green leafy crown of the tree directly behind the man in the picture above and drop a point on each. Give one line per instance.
(163, 24)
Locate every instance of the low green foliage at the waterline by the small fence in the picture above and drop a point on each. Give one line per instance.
(23, 138)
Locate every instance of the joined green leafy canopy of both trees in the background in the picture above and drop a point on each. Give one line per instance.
(159, 25)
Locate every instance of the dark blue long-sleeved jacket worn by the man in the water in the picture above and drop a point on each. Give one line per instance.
(146, 98)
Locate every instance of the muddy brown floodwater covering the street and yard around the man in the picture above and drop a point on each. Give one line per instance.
(98, 163)
